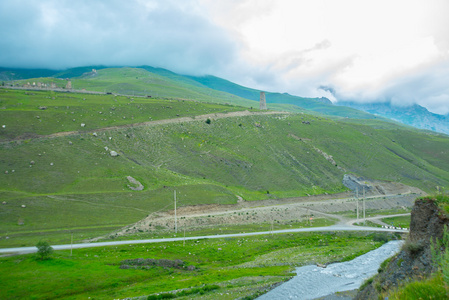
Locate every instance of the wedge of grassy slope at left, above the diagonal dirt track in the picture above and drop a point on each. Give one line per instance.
(28, 114)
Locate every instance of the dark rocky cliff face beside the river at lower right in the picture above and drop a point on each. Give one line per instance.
(414, 261)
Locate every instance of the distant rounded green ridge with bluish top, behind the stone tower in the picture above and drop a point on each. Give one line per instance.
(158, 82)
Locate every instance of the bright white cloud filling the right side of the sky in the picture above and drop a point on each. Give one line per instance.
(364, 50)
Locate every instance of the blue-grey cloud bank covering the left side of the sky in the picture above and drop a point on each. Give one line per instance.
(59, 34)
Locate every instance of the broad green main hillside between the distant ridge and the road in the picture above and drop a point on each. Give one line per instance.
(70, 182)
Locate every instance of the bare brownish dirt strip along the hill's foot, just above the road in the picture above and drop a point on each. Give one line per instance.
(283, 211)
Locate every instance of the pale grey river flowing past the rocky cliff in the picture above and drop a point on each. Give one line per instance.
(313, 282)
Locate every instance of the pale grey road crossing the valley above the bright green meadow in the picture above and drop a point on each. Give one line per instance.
(25, 250)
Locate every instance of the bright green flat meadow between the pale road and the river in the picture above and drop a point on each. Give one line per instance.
(224, 268)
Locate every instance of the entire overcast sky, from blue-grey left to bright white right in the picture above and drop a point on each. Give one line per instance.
(361, 50)
